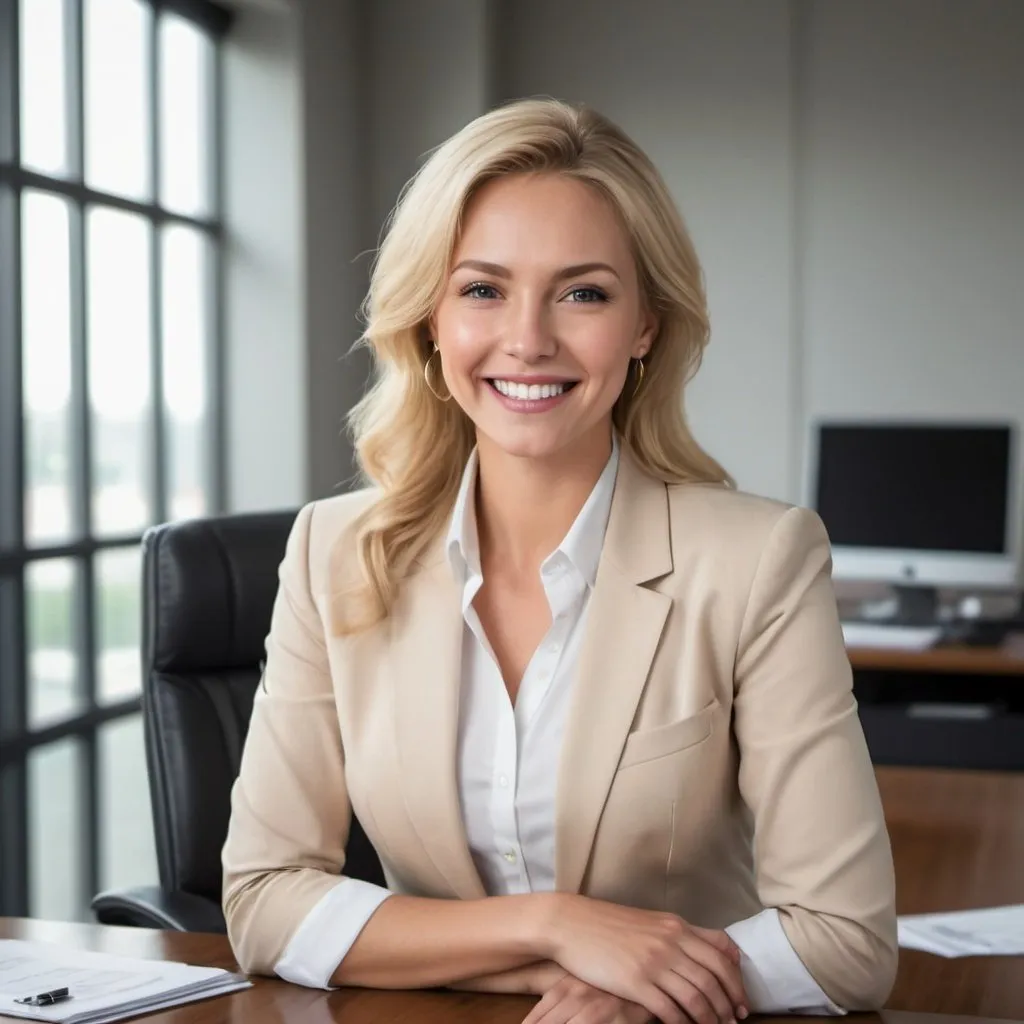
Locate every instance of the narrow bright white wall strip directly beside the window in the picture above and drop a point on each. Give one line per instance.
(265, 262)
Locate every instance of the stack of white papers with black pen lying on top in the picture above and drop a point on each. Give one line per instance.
(63, 986)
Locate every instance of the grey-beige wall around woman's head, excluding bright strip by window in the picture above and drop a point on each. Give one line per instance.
(851, 174)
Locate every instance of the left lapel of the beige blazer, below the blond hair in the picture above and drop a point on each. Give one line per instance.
(423, 652)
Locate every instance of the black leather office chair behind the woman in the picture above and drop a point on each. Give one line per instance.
(209, 587)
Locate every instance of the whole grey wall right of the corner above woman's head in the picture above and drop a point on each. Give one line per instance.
(852, 175)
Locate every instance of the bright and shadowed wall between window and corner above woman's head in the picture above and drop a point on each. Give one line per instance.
(331, 106)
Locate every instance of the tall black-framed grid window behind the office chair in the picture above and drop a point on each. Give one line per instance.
(110, 409)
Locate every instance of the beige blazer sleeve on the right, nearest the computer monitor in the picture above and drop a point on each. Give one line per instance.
(823, 856)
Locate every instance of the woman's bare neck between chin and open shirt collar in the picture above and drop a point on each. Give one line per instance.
(525, 507)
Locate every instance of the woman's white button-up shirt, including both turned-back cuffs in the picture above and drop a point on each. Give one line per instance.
(508, 759)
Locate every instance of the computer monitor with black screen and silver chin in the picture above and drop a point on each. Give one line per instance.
(919, 506)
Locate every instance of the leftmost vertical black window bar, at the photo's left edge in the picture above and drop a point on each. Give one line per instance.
(14, 677)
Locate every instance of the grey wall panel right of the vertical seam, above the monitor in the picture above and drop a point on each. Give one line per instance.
(913, 248)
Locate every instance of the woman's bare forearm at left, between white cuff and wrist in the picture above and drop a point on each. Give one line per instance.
(425, 944)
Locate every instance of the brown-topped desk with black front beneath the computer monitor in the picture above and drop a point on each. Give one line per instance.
(948, 707)
